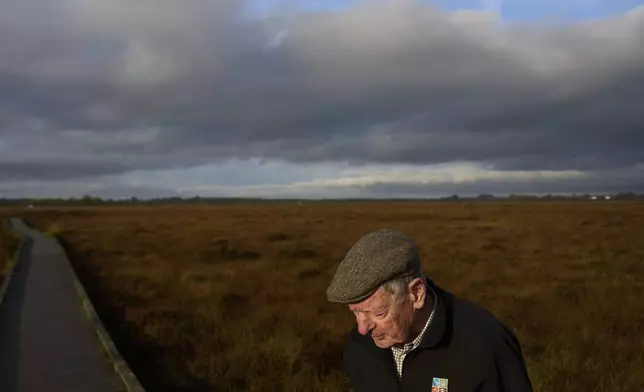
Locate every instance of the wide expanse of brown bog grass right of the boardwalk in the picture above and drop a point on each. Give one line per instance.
(231, 298)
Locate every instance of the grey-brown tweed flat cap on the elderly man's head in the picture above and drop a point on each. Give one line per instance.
(376, 258)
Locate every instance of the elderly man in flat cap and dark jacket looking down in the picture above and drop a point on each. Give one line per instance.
(413, 336)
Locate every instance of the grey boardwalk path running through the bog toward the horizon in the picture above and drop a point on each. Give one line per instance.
(46, 342)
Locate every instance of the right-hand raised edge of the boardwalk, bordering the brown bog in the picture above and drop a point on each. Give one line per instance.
(119, 365)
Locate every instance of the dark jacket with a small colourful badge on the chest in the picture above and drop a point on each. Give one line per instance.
(465, 347)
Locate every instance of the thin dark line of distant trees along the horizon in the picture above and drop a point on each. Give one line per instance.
(88, 200)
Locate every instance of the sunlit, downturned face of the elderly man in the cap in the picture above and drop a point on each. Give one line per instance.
(387, 321)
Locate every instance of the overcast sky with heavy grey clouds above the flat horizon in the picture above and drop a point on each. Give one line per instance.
(278, 98)
